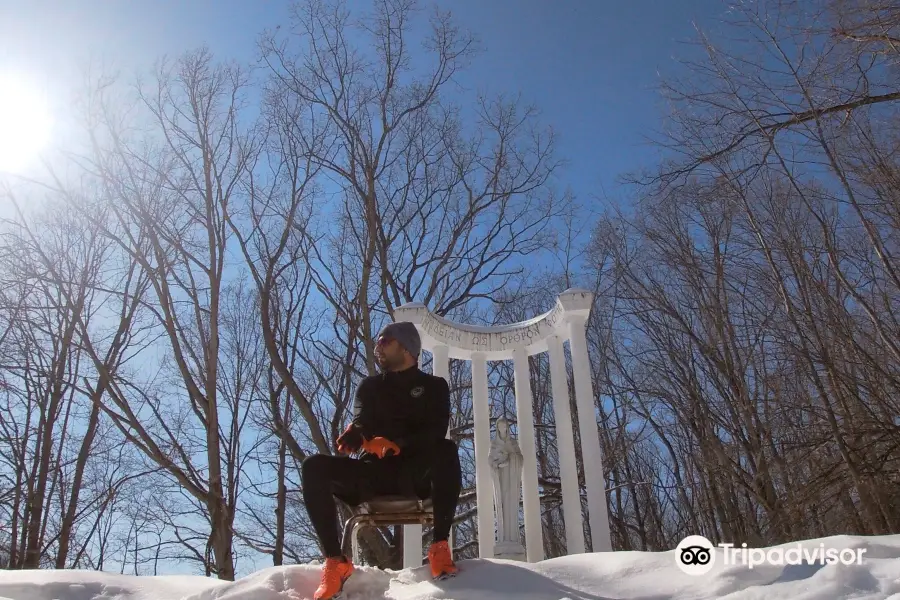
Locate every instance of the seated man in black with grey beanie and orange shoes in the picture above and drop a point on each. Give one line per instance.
(402, 416)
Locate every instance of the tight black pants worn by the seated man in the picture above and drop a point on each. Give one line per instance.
(436, 475)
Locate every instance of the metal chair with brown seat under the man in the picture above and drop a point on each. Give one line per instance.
(384, 511)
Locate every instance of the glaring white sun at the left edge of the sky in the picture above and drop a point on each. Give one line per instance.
(24, 123)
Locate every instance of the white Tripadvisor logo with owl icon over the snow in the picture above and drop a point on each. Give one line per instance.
(695, 555)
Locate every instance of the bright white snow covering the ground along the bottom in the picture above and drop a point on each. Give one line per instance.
(598, 576)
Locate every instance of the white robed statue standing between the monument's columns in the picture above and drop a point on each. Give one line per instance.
(506, 466)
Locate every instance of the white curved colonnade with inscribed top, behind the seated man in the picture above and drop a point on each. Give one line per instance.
(566, 321)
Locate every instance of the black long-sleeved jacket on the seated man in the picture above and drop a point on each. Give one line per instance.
(411, 408)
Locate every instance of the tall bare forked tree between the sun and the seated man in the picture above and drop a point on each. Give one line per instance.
(167, 197)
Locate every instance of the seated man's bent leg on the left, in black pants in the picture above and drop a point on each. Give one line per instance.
(324, 476)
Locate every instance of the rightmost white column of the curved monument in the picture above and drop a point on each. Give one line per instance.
(591, 455)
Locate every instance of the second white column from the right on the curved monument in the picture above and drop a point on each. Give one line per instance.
(565, 444)
